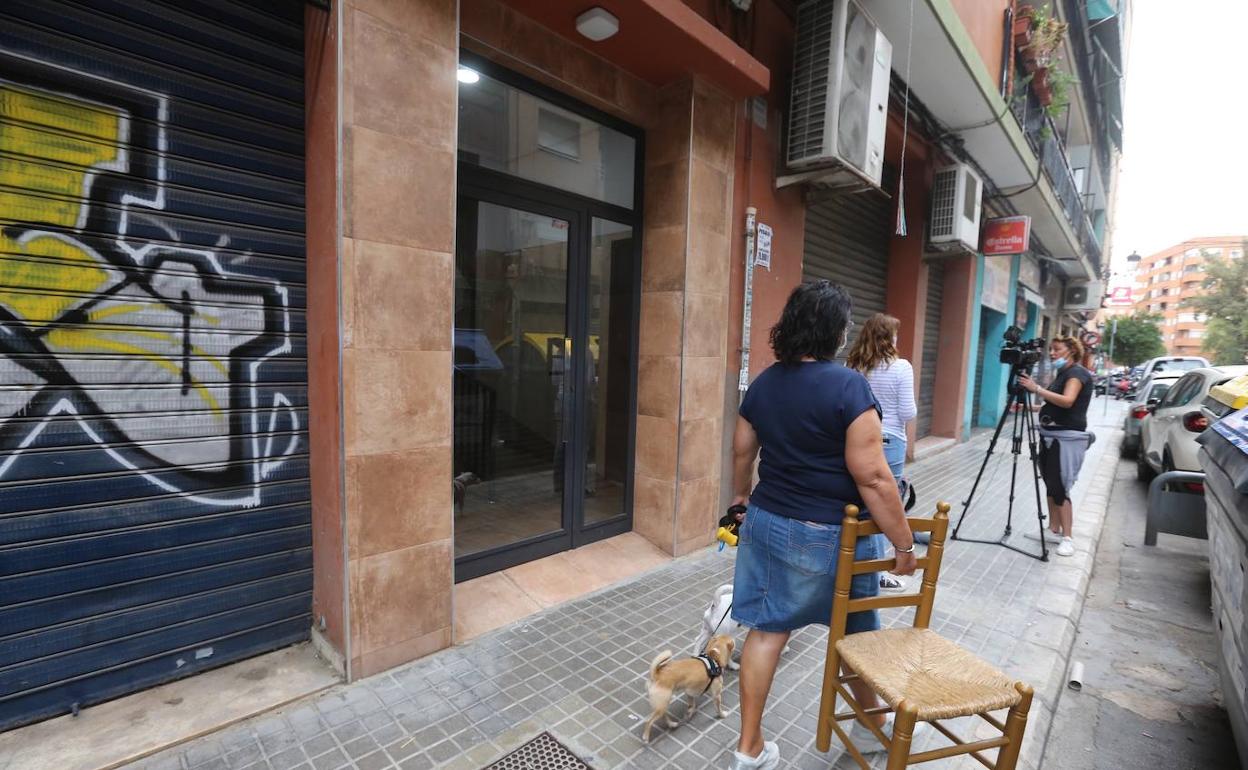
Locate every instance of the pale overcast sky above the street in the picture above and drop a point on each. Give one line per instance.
(1184, 172)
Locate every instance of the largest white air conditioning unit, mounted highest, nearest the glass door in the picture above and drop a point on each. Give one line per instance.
(839, 102)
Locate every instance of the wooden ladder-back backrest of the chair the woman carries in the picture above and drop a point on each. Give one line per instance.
(847, 567)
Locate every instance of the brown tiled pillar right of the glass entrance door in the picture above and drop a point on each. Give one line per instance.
(685, 316)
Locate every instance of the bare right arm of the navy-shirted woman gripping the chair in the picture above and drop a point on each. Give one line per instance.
(864, 457)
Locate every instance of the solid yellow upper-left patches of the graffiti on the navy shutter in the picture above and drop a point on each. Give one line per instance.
(48, 148)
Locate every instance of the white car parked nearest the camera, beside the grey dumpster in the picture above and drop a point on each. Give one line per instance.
(1168, 436)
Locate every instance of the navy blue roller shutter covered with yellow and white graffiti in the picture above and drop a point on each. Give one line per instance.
(154, 492)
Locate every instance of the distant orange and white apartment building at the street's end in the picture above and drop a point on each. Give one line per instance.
(1169, 280)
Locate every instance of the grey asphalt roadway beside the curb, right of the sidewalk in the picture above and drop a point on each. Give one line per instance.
(1150, 693)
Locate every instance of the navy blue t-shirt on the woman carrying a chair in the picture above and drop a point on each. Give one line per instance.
(802, 415)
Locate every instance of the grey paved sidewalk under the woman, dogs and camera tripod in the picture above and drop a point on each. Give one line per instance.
(578, 671)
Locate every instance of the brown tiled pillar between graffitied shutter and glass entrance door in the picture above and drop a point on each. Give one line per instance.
(400, 89)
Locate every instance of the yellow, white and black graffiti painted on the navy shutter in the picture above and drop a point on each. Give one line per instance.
(89, 299)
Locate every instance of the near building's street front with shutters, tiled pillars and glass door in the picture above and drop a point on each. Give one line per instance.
(345, 321)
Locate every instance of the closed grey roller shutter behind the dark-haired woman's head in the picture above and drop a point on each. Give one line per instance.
(848, 241)
